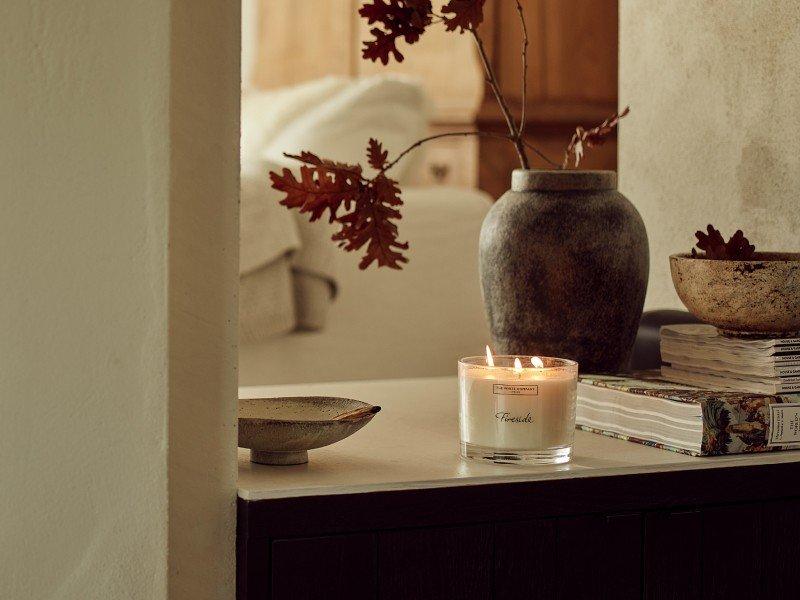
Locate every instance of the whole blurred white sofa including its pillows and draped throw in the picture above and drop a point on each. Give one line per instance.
(383, 323)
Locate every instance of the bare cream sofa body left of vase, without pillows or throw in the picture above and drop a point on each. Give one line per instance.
(394, 324)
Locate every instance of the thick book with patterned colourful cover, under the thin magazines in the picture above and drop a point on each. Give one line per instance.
(644, 408)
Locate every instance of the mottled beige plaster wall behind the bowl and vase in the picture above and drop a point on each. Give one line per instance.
(714, 89)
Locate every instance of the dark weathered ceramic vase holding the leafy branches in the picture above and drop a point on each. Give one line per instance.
(564, 263)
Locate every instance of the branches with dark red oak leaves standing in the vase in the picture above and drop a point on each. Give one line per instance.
(366, 209)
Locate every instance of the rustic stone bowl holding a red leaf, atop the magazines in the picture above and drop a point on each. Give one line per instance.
(742, 298)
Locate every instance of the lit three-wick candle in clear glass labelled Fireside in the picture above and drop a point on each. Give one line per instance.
(517, 409)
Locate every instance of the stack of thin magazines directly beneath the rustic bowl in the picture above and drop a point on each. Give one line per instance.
(698, 355)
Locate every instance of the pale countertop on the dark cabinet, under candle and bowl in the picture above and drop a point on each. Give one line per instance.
(413, 443)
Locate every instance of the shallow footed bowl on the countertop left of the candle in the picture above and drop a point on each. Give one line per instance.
(281, 431)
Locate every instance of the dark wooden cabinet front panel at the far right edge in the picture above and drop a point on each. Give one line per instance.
(781, 545)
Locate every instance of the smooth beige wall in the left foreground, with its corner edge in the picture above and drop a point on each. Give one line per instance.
(94, 165)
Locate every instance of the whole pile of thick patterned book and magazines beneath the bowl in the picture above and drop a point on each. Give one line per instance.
(714, 395)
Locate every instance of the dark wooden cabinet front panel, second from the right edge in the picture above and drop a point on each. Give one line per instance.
(732, 552)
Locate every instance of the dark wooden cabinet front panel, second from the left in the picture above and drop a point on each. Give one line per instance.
(435, 564)
